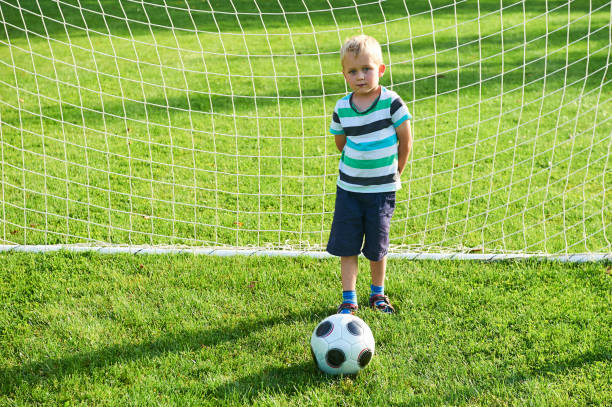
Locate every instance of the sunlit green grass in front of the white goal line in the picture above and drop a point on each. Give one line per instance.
(88, 329)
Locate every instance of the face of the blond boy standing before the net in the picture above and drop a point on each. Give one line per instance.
(362, 73)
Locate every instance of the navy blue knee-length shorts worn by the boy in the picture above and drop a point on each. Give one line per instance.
(358, 215)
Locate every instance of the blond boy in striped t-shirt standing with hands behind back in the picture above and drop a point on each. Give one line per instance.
(371, 127)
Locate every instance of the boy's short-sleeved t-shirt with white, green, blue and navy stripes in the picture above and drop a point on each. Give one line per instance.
(369, 158)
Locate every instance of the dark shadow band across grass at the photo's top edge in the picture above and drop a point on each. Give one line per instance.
(135, 18)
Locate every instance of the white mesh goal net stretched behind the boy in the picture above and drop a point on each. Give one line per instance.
(205, 124)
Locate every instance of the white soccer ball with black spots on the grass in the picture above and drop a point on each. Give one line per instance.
(342, 344)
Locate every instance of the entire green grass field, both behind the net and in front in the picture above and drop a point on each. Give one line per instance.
(129, 123)
